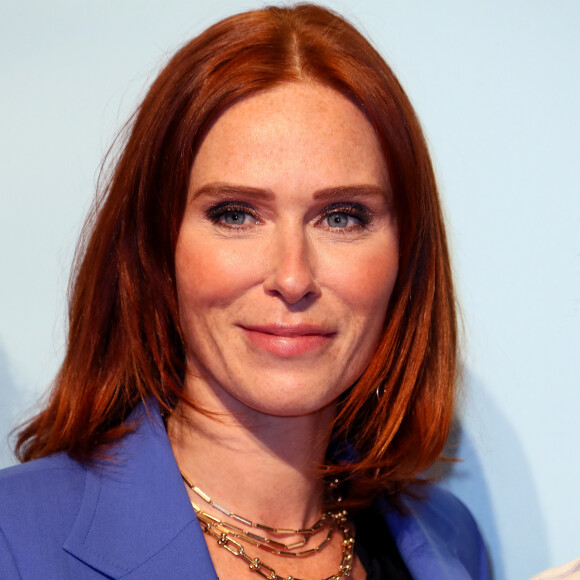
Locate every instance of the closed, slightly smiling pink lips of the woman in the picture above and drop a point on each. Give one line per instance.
(288, 340)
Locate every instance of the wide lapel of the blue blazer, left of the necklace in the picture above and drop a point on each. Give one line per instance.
(135, 518)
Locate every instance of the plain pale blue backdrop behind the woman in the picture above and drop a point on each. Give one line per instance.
(496, 85)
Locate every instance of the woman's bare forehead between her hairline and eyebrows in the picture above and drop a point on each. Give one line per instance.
(294, 131)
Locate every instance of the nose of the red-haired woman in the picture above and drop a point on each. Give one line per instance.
(291, 273)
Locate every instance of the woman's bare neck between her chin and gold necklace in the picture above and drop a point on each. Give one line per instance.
(260, 467)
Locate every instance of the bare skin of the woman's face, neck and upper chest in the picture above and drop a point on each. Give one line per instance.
(285, 263)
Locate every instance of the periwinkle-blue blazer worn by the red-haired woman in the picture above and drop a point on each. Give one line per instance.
(131, 519)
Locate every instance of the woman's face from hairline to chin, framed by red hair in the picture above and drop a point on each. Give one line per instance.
(287, 253)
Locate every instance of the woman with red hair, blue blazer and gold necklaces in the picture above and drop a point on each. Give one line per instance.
(262, 318)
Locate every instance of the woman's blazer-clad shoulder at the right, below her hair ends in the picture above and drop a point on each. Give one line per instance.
(437, 536)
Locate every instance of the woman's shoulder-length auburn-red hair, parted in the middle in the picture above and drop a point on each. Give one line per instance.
(124, 341)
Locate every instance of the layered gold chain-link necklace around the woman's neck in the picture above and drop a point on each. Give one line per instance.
(233, 536)
